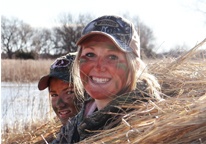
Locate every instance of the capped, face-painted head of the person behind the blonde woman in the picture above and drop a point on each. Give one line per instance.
(60, 86)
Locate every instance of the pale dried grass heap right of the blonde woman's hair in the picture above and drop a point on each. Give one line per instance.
(182, 76)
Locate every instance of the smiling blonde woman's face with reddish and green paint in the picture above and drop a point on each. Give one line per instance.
(103, 67)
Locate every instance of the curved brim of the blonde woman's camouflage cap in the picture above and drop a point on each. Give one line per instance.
(118, 43)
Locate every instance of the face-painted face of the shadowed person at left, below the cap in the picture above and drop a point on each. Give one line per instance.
(62, 99)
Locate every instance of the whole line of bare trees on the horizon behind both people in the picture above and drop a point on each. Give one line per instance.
(20, 40)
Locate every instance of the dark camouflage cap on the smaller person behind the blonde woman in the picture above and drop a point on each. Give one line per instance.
(60, 69)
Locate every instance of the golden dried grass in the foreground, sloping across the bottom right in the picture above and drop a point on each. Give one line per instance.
(173, 120)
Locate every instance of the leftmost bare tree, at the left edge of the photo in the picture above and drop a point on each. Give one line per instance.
(15, 35)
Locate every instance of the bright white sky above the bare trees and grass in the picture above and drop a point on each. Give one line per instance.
(174, 22)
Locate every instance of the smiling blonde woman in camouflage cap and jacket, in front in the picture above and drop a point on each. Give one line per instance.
(109, 68)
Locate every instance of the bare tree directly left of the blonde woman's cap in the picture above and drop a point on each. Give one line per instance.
(67, 34)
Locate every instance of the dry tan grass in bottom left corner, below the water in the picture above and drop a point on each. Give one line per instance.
(35, 134)
